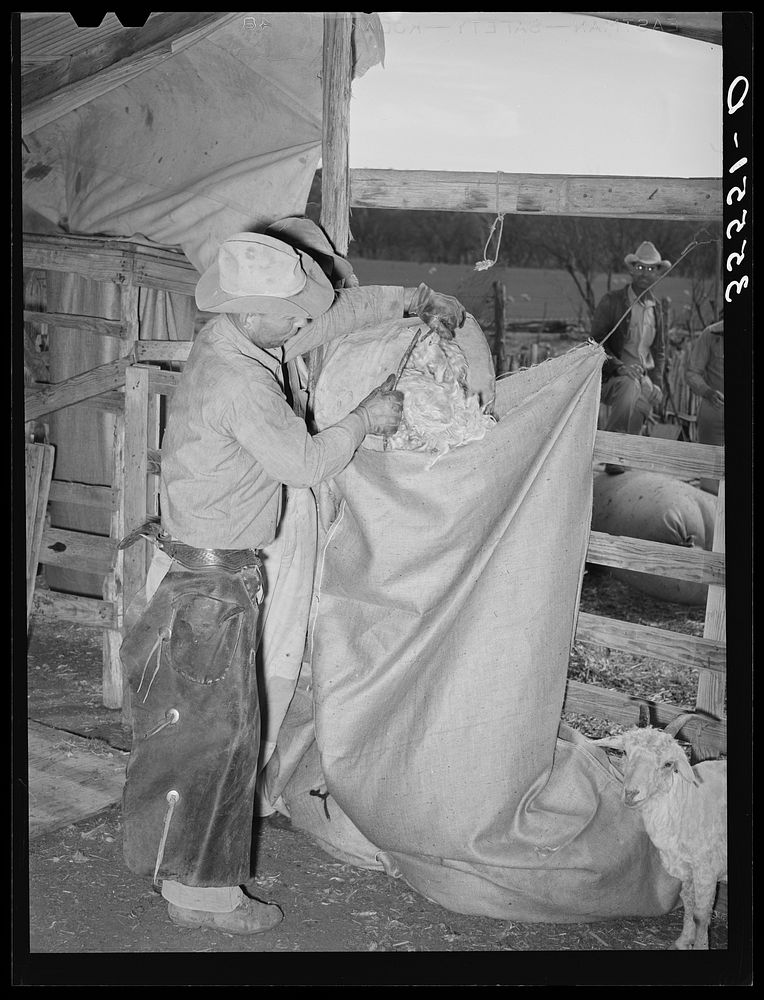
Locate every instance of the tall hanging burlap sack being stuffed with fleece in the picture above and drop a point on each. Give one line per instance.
(424, 737)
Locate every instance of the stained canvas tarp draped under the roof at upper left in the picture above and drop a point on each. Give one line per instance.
(222, 136)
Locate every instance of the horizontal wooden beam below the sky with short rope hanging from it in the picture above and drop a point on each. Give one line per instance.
(694, 199)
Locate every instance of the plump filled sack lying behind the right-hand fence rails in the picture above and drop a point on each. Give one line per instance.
(662, 509)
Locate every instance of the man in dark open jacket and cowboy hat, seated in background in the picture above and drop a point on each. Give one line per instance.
(629, 323)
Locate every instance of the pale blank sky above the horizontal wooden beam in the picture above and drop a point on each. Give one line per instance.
(538, 92)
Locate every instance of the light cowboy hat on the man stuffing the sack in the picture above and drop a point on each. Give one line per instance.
(255, 273)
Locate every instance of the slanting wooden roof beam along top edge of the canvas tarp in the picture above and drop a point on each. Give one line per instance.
(65, 85)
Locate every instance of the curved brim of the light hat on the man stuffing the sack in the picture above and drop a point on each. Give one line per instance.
(311, 301)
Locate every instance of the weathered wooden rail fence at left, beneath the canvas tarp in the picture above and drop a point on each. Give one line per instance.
(131, 266)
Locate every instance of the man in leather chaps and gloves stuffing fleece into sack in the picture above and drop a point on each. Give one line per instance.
(232, 441)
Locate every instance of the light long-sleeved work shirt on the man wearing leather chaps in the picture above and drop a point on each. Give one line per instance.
(232, 439)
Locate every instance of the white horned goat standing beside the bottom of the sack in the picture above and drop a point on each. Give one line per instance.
(684, 810)
